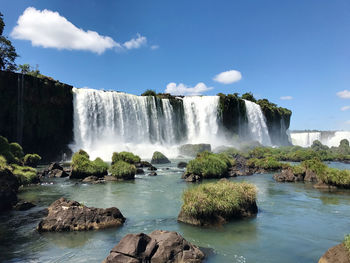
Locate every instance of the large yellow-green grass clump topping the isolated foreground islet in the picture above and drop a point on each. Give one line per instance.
(221, 198)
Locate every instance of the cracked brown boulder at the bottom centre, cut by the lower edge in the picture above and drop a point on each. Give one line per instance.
(159, 247)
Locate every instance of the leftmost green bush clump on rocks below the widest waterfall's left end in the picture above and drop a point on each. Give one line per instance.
(82, 166)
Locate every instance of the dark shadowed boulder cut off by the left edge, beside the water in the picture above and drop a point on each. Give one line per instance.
(8, 189)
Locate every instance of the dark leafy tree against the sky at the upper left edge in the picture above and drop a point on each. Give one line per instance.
(8, 53)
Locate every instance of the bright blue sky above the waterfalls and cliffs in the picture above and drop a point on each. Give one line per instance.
(297, 48)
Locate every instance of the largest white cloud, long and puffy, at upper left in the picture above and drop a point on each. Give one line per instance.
(51, 30)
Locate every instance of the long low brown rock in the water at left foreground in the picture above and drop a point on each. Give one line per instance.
(66, 215)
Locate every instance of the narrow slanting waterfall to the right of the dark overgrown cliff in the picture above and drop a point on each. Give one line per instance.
(256, 123)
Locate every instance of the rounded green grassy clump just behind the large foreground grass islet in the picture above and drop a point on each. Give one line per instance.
(209, 165)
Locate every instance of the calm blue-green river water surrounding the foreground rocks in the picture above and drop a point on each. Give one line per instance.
(295, 223)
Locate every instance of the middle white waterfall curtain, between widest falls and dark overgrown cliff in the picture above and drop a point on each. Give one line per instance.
(201, 118)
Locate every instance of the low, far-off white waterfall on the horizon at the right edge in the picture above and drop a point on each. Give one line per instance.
(305, 139)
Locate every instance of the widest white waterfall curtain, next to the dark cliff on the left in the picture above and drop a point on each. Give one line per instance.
(106, 121)
